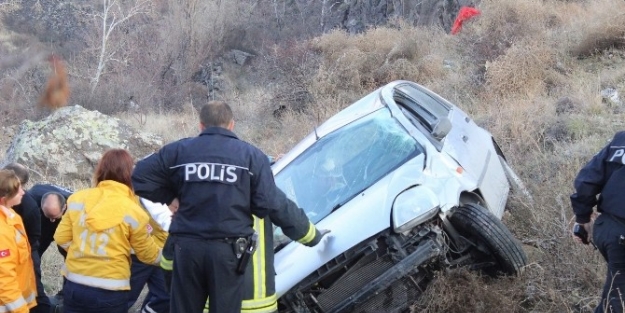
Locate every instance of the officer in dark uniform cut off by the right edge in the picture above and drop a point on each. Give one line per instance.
(604, 176)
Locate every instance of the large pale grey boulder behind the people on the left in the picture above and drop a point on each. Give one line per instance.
(67, 144)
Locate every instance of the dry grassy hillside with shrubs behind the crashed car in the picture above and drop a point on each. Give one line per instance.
(544, 76)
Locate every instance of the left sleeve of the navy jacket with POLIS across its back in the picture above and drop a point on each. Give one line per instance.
(151, 179)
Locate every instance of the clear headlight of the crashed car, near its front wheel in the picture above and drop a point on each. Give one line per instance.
(413, 207)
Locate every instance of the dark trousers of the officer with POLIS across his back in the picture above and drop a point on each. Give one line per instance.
(205, 270)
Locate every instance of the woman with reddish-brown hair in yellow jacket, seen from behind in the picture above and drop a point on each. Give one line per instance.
(99, 229)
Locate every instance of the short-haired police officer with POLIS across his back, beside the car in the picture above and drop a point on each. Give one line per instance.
(220, 182)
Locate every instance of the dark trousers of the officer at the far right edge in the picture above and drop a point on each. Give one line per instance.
(606, 233)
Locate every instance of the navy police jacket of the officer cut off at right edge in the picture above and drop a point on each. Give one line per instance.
(604, 175)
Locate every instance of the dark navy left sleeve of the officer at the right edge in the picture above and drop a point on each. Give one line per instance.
(588, 184)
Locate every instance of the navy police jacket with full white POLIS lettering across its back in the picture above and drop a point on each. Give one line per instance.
(219, 180)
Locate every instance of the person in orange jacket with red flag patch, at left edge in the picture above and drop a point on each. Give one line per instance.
(18, 289)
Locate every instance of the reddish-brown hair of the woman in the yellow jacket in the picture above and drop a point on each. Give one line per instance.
(115, 164)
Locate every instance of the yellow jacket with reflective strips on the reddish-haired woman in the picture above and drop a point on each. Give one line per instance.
(99, 229)
